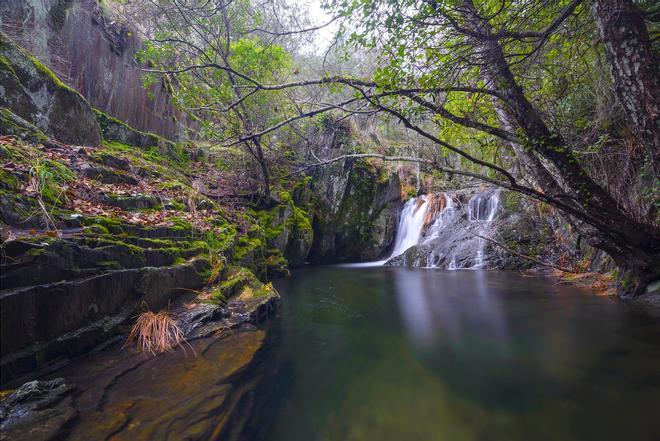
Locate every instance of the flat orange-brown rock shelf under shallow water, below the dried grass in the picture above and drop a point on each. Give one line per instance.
(124, 395)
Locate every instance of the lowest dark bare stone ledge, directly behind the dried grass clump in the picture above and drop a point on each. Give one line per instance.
(39, 323)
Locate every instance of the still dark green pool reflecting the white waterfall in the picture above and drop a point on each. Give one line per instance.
(405, 354)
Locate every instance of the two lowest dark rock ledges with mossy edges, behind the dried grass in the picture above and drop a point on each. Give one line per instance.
(62, 297)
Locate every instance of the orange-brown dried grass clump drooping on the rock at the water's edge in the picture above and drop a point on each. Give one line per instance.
(155, 333)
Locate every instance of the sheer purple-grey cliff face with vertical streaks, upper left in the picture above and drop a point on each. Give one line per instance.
(94, 55)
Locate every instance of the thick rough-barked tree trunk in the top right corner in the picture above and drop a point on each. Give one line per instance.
(634, 70)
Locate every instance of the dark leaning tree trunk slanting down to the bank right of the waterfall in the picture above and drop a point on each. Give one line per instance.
(633, 245)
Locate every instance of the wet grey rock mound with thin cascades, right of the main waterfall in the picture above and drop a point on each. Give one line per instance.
(458, 236)
